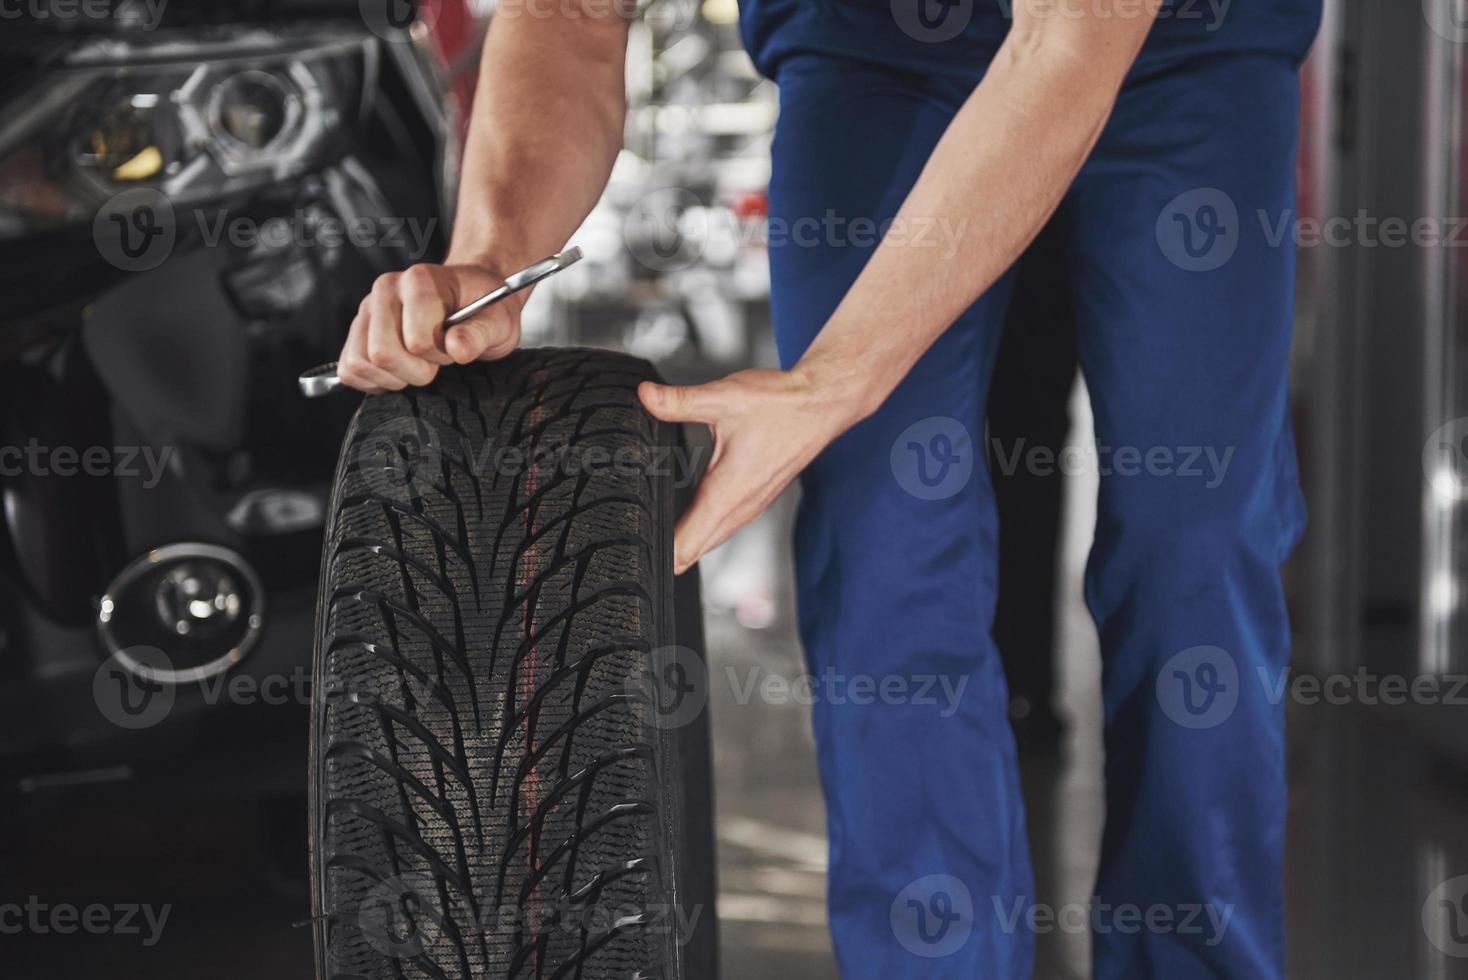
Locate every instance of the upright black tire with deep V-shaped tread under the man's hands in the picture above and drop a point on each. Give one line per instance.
(498, 576)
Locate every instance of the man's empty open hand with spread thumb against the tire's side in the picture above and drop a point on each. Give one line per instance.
(767, 428)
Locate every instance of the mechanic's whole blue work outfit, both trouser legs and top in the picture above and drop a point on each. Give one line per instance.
(1182, 282)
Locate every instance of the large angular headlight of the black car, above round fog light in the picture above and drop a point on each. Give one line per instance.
(193, 122)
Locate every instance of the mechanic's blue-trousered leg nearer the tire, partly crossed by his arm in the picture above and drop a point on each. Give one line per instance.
(896, 570)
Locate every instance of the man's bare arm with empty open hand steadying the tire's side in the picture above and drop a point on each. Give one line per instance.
(999, 172)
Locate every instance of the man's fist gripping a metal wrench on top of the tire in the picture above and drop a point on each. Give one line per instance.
(399, 337)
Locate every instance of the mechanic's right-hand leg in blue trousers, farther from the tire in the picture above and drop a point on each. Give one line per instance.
(1184, 325)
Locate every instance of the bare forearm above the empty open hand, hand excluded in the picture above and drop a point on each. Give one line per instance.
(990, 186)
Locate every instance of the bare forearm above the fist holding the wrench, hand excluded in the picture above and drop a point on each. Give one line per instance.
(545, 131)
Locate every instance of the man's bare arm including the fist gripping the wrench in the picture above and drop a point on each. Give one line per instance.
(544, 134)
